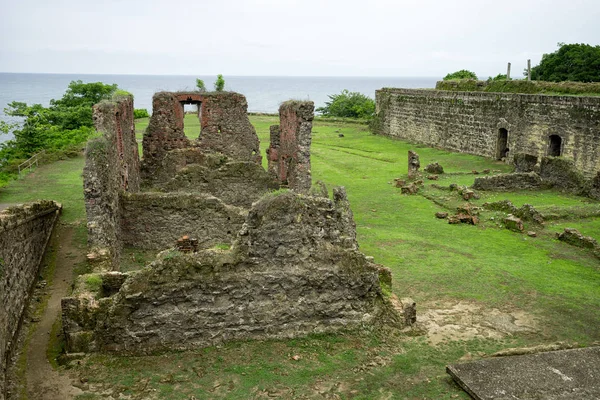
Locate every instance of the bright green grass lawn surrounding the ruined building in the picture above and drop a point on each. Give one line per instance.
(437, 264)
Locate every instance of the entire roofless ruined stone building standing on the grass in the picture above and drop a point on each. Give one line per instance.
(238, 258)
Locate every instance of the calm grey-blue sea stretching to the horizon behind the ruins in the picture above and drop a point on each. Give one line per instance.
(264, 93)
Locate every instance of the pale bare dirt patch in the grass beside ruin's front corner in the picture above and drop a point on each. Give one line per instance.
(466, 321)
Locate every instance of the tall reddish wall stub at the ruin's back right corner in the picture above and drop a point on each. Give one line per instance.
(289, 152)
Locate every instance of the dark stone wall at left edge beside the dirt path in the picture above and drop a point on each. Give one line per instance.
(24, 233)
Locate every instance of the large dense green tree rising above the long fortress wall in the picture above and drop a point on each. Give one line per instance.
(571, 62)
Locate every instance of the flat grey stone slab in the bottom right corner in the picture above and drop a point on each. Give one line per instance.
(565, 374)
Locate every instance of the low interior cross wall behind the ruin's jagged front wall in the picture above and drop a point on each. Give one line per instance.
(154, 221)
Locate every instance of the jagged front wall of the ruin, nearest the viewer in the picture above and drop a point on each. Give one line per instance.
(294, 269)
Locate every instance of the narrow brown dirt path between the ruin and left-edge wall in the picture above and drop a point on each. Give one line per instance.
(43, 382)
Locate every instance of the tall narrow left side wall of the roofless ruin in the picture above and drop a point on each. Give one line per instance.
(111, 166)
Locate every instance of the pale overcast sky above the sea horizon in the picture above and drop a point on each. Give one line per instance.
(288, 37)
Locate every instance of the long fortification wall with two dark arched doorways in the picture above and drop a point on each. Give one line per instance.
(496, 125)
